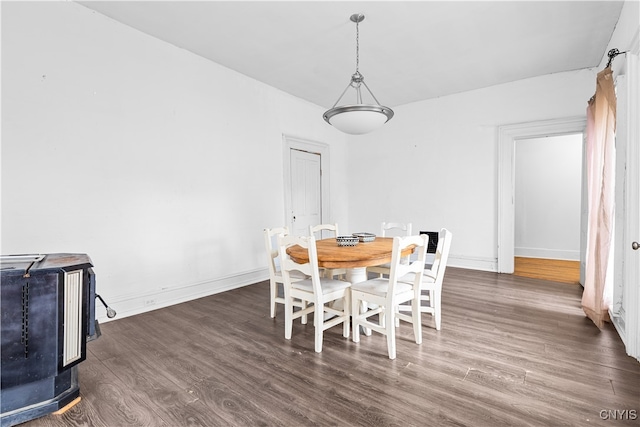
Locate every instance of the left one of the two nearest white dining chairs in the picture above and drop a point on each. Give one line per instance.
(317, 291)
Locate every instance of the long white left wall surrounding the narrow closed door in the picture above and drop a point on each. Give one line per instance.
(162, 166)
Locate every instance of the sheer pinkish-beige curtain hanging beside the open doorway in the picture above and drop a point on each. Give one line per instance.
(601, 126)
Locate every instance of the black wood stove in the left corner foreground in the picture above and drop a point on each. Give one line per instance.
(47, 316)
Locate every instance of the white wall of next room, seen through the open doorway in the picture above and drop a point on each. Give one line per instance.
(548, 189)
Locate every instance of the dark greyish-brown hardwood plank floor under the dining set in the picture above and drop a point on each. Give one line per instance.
(512, 351)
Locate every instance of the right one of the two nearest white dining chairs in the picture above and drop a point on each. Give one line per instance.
(382, 296)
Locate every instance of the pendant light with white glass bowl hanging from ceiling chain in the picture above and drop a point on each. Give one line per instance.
(358, 118)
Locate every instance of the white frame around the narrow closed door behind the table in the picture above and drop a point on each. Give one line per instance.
(289, 143)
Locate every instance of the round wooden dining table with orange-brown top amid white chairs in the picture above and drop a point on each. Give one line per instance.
(355, 259)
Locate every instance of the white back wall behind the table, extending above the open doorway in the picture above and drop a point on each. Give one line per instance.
(435, 163)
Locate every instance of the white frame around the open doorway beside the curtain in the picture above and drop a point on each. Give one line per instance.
(507, 137)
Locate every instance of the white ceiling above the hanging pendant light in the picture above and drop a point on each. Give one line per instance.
(409, 51)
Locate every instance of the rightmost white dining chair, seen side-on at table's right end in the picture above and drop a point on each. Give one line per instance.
(431, 288)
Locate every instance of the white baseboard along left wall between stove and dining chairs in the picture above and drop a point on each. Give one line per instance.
(132, 304)
